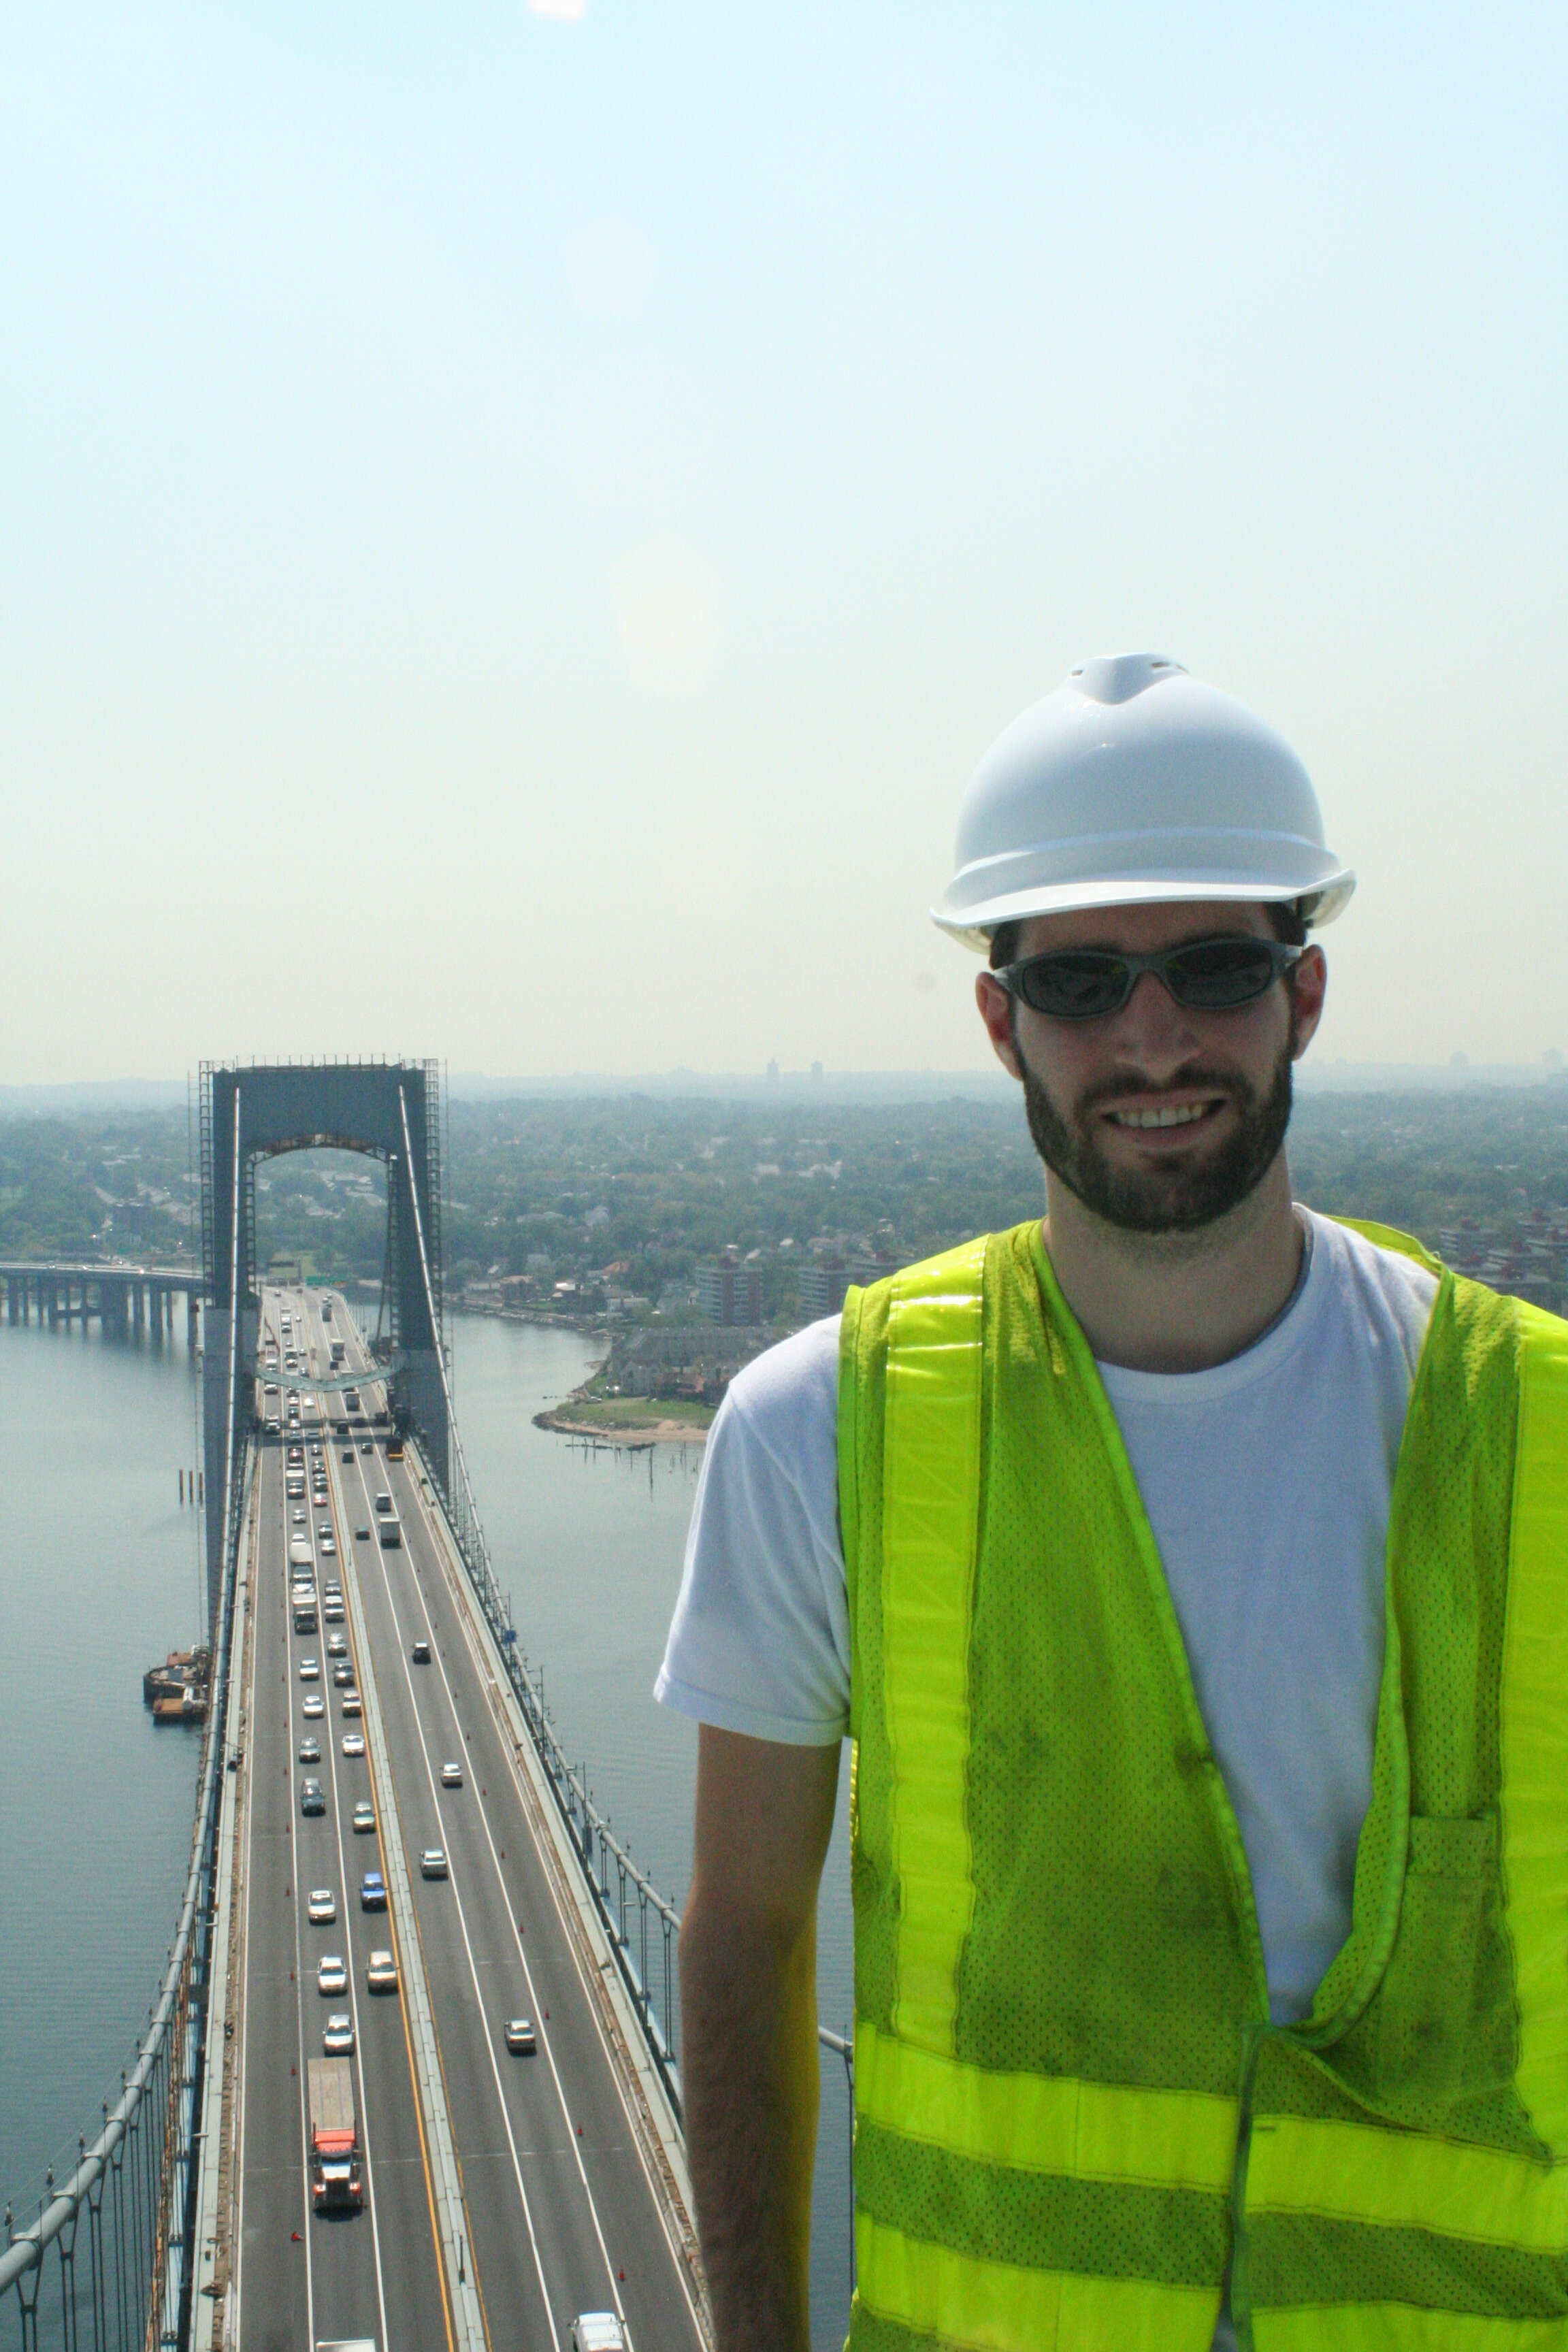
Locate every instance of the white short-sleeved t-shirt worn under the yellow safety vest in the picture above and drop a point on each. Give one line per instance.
(1268, 1488)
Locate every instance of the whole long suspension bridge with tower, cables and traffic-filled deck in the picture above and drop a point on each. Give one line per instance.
(394, 1859)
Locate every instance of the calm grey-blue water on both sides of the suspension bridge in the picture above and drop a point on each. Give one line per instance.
(100, 1577)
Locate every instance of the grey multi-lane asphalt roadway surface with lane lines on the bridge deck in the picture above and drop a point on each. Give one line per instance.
(561, 2205)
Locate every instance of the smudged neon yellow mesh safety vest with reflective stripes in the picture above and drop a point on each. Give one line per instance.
(1073, 2113)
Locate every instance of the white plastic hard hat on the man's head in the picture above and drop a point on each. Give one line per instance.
(1132, 784)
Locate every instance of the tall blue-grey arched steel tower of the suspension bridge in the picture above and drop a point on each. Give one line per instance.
(257, 1111)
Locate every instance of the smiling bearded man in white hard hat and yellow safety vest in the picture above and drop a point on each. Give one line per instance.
(1191, 1575)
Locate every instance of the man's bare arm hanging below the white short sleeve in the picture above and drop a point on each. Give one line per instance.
(749, 2024)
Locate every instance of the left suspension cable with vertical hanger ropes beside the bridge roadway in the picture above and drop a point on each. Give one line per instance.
(126, 2280)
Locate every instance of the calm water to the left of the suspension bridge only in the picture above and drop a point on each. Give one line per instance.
(100, 1577)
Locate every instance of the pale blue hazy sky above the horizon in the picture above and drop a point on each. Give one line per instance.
(516, 523)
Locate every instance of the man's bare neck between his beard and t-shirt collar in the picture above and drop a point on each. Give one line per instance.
(1177, 1302)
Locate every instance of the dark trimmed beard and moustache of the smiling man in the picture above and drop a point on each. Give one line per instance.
(1191, 1189)
